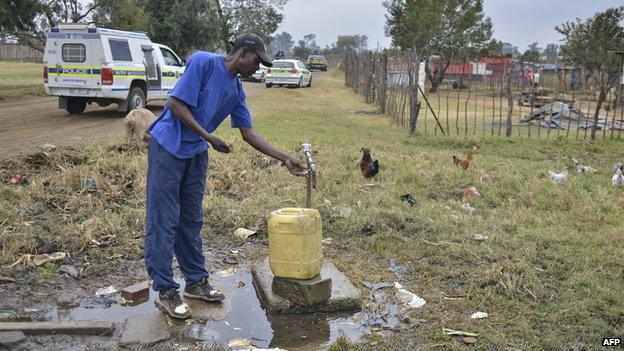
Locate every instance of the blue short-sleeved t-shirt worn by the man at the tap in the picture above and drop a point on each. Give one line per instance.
(211, 93)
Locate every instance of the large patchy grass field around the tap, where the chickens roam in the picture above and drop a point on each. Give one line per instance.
(550, 276)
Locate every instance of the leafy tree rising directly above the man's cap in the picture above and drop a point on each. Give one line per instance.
(236, 17)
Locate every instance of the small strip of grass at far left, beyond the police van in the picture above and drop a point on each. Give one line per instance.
(20, 79)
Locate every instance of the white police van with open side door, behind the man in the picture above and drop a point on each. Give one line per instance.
(84, 65)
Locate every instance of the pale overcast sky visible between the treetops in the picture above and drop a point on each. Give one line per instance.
(518, 22)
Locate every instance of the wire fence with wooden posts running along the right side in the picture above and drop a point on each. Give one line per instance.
(493, 96)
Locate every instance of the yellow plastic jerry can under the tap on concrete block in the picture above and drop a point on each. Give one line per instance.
(295, 249)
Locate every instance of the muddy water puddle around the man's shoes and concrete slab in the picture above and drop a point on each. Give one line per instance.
(240, 316)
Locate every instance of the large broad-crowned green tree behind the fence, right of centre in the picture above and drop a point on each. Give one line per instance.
(446, 28)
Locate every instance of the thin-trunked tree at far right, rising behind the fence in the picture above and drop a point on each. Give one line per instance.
(591, 45)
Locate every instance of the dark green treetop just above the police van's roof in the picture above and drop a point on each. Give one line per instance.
(120, 14)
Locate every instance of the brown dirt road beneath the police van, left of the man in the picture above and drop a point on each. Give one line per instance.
(24, 124)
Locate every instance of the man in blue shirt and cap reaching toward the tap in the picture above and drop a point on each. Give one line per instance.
(207, 93)
